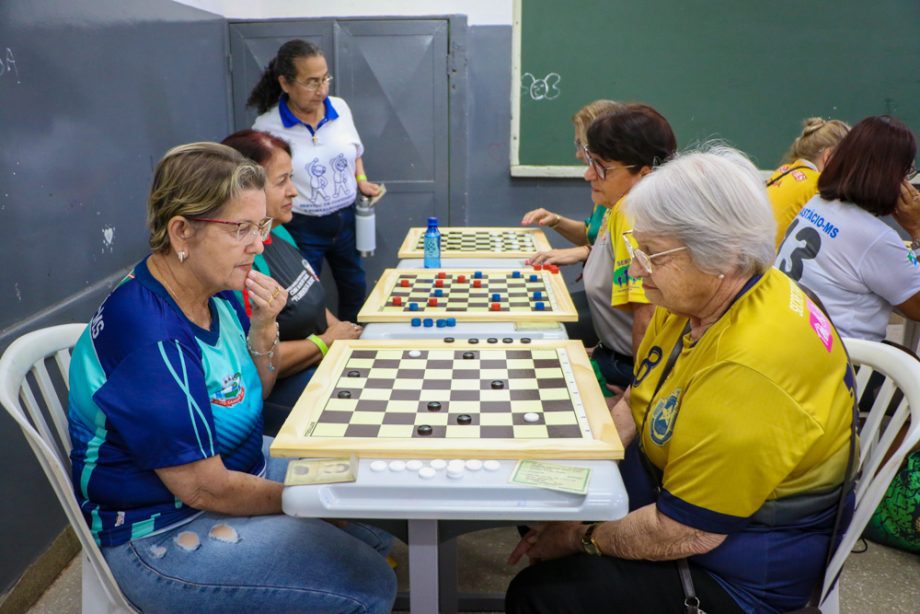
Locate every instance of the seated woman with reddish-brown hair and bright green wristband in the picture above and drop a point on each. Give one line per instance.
(306, 326)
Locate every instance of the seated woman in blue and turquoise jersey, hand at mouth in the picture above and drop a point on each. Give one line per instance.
(165, 417)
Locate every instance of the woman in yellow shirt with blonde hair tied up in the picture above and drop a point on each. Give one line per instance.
(796, 181)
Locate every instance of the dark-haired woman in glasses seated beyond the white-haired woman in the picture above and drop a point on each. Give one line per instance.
(622, 148)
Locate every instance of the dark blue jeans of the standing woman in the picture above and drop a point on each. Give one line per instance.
(333, 237)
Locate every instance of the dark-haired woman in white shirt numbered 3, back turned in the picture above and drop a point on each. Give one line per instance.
(839, 248)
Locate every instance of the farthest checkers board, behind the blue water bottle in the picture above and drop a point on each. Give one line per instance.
(478, 242)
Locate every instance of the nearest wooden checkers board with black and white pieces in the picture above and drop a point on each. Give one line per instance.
(426, 399)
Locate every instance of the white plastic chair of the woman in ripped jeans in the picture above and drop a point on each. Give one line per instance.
(32, 354)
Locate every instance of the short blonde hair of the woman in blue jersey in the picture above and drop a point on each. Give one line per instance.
(195, 180)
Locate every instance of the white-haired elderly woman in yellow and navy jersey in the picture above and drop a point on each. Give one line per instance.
(741, 409)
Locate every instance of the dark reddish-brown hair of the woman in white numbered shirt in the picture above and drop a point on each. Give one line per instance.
(869, 165)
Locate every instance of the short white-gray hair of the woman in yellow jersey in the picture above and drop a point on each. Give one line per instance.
(713, 201)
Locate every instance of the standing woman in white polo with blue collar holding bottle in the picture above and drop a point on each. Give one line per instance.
(293, 100)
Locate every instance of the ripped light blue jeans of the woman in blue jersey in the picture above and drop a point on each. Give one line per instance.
(219, 563)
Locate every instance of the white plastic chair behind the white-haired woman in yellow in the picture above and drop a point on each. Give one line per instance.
(901, 371)
